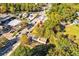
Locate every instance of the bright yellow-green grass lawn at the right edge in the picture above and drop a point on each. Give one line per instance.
(73, 30)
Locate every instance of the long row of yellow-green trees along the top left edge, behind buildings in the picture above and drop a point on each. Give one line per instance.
(19, 7)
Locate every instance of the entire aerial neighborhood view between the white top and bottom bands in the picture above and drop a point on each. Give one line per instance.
(39, 29)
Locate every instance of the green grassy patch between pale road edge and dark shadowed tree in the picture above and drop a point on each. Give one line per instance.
(21, 51)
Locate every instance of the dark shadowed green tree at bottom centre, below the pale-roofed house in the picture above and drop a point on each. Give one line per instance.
(41, 50)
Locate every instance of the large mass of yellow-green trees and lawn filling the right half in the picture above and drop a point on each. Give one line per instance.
(64, 45)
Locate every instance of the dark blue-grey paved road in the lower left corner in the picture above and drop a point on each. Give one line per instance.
(8, 46)
